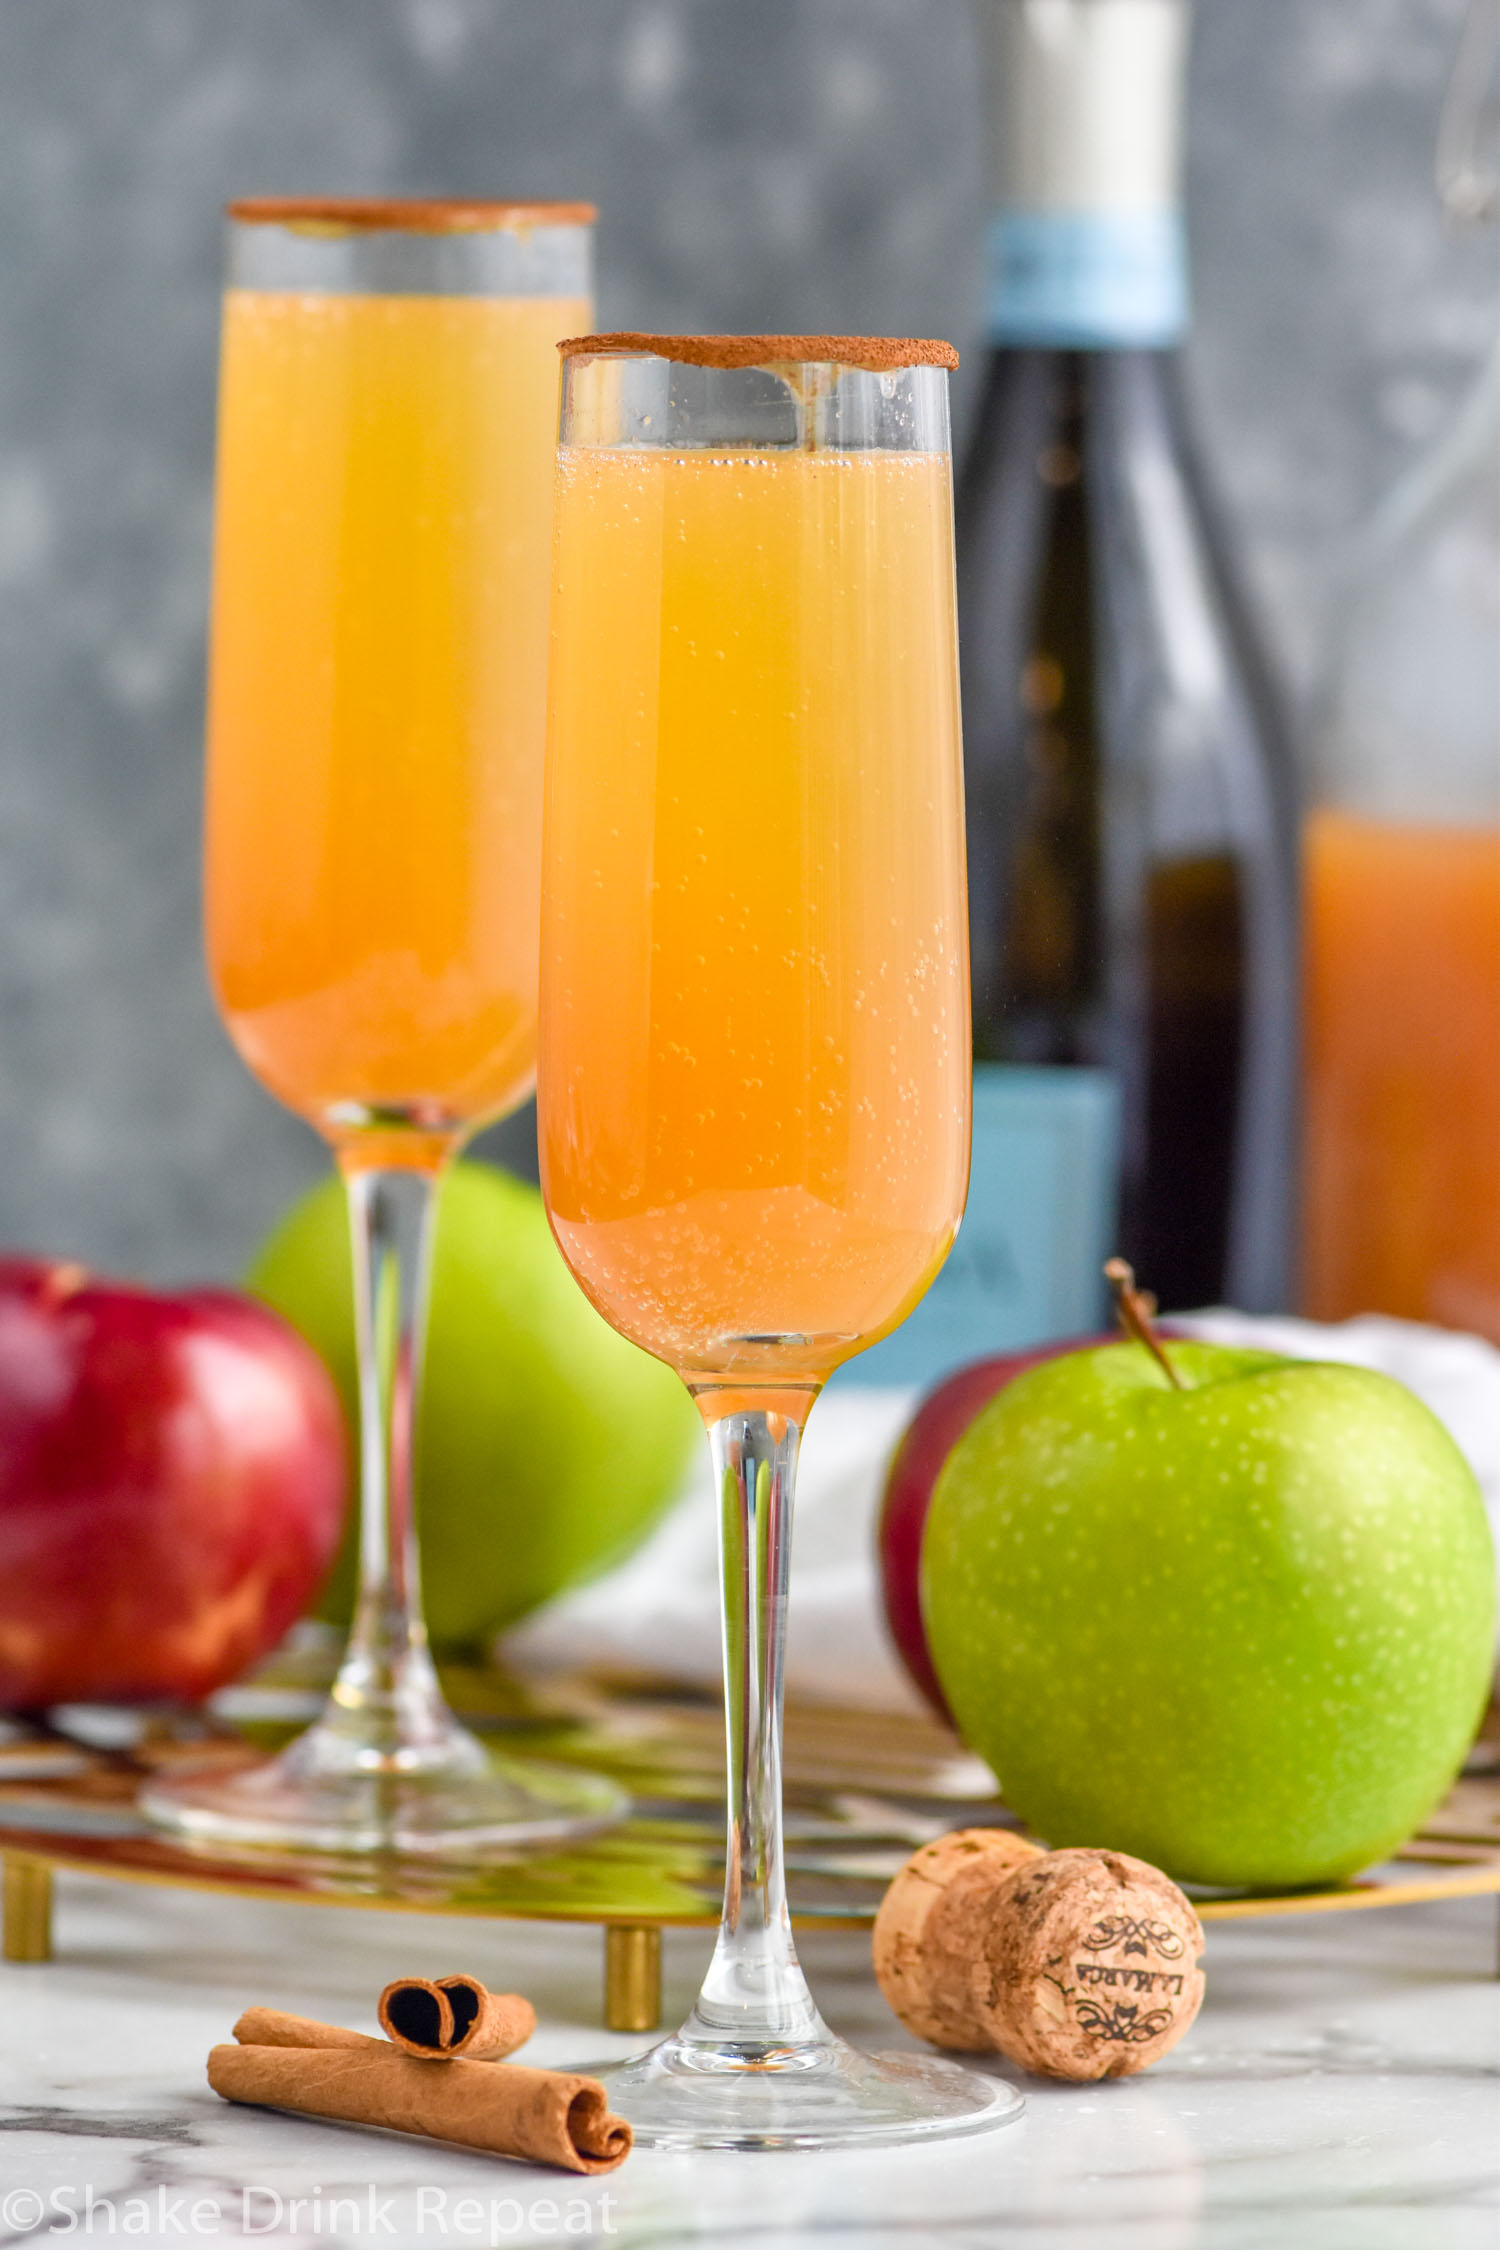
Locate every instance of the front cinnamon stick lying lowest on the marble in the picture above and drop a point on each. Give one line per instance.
(545, 2116)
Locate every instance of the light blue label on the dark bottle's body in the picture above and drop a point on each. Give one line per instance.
(1036, 1236)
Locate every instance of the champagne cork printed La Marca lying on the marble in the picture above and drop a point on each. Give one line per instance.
(1078, 1965)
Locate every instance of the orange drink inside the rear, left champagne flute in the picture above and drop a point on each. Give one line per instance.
(379, 696)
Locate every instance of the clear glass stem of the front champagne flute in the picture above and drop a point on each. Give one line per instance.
(754, 1995)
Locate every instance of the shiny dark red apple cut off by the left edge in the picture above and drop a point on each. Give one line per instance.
(172, 1486)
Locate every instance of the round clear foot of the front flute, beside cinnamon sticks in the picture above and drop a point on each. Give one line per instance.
(815, 2096)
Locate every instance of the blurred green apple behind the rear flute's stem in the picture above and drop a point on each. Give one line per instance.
(548, 1443)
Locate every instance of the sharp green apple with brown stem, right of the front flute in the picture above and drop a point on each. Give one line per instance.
(1240, 1630)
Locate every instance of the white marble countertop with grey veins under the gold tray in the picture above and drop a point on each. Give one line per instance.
(1339, 2094)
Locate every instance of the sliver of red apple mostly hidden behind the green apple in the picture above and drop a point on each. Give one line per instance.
(930, 1439)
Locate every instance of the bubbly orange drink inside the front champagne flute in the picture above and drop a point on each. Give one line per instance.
(757, 1122)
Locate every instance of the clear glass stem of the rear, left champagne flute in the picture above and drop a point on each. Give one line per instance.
(388, 1711)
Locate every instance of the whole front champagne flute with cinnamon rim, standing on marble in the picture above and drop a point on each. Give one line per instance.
(754, 1070)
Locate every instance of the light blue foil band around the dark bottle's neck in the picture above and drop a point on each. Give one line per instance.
(1087, 280)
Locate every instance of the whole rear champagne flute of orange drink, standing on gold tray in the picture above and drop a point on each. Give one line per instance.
(377, 728)
